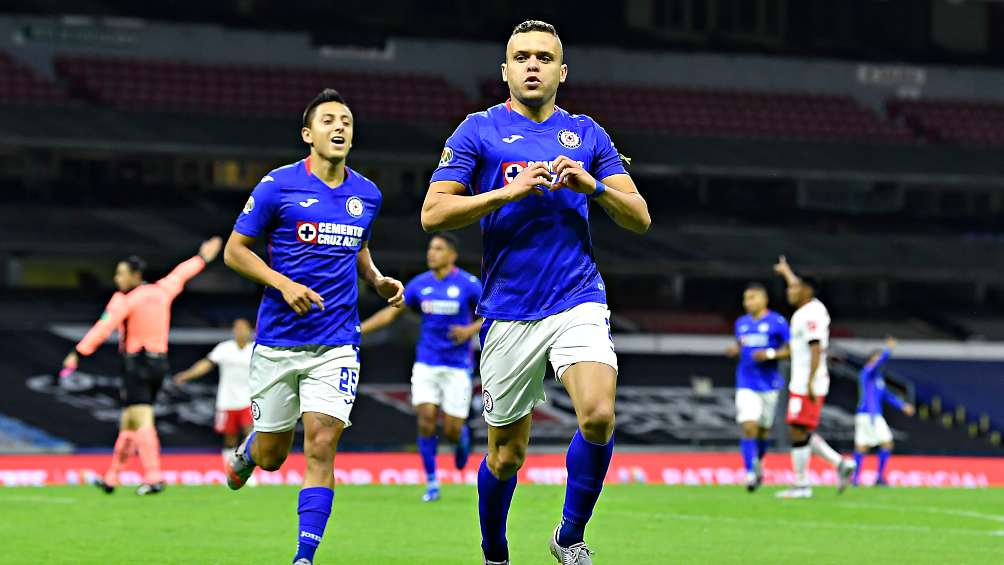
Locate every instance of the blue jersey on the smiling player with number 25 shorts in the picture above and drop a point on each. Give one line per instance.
(315, 233)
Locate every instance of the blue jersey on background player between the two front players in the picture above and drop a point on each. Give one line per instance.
(443, 304)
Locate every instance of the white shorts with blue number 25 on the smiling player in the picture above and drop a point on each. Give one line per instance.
(288, 382)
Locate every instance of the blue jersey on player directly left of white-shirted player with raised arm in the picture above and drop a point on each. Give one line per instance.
(771, 332)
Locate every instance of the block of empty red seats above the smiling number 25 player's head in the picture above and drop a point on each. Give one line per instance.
(258, 91)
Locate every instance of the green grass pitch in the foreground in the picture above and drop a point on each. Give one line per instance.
(634, 525)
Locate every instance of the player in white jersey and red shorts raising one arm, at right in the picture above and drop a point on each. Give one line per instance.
(810, 383)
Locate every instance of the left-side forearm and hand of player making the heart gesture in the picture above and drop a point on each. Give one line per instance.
(448, 208)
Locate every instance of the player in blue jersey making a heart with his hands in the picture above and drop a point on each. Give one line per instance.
(529, 170)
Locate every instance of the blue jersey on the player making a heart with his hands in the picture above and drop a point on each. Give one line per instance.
(538, 252)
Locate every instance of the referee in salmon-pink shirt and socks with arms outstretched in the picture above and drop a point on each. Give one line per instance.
(141, 313)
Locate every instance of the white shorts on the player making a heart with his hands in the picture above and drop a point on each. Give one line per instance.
(516, 354)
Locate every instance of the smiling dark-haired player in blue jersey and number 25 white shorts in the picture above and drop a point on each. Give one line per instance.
(318, 215)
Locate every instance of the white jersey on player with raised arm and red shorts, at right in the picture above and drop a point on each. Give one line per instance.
(810, 324)
